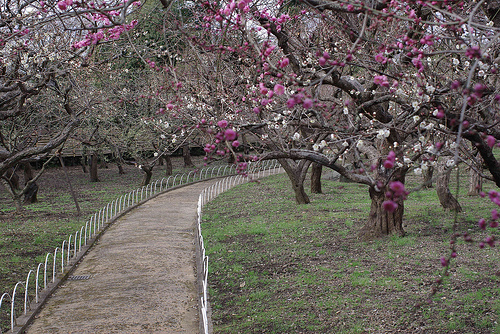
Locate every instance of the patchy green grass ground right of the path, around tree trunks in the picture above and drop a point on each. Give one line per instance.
(278, 267)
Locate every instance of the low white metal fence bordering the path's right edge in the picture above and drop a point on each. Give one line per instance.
(265, 169)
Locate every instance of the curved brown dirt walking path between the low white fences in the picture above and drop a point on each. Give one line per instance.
(143, 276)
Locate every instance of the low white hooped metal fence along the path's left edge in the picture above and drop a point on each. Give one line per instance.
(56, 261)
